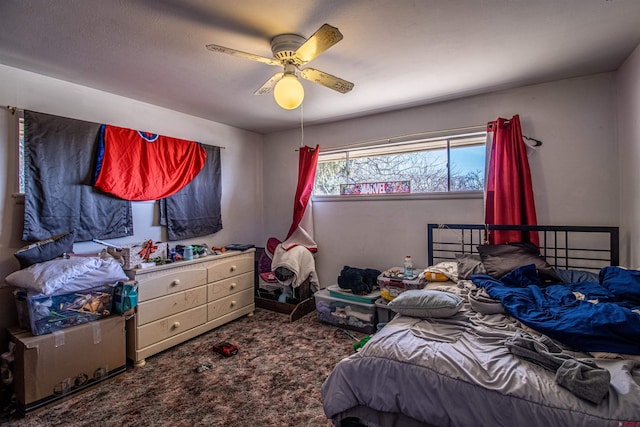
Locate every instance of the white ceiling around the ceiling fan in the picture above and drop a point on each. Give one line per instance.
(399, 53)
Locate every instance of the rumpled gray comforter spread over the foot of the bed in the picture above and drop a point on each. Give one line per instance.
(458, 372)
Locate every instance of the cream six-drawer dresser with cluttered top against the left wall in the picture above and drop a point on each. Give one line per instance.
(179, 301)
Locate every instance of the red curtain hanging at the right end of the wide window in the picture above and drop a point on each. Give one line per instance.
(509, 196)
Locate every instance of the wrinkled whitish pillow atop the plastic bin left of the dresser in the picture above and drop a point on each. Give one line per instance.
(67, 275)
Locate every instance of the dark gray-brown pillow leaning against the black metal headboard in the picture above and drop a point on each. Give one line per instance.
(500, 259)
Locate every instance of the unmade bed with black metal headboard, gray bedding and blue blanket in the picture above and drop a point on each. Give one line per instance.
(457, 355)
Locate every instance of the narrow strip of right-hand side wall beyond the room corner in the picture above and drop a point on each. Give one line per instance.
(628, 85)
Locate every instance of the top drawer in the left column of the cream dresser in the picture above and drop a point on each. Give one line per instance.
(164, 282)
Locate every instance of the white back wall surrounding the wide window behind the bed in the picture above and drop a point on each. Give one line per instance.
(575, 172)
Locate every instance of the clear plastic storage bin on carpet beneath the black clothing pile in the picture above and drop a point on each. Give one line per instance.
(347, 314)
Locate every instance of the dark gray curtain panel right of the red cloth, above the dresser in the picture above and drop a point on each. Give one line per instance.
(194, 211)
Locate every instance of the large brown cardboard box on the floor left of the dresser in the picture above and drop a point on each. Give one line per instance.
(50, 368)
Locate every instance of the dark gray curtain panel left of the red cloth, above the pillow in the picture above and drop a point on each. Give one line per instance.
(59, 196)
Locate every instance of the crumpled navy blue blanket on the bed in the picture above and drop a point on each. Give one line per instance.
(586, 316)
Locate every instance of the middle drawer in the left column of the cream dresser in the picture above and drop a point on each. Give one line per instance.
(155, 309)
